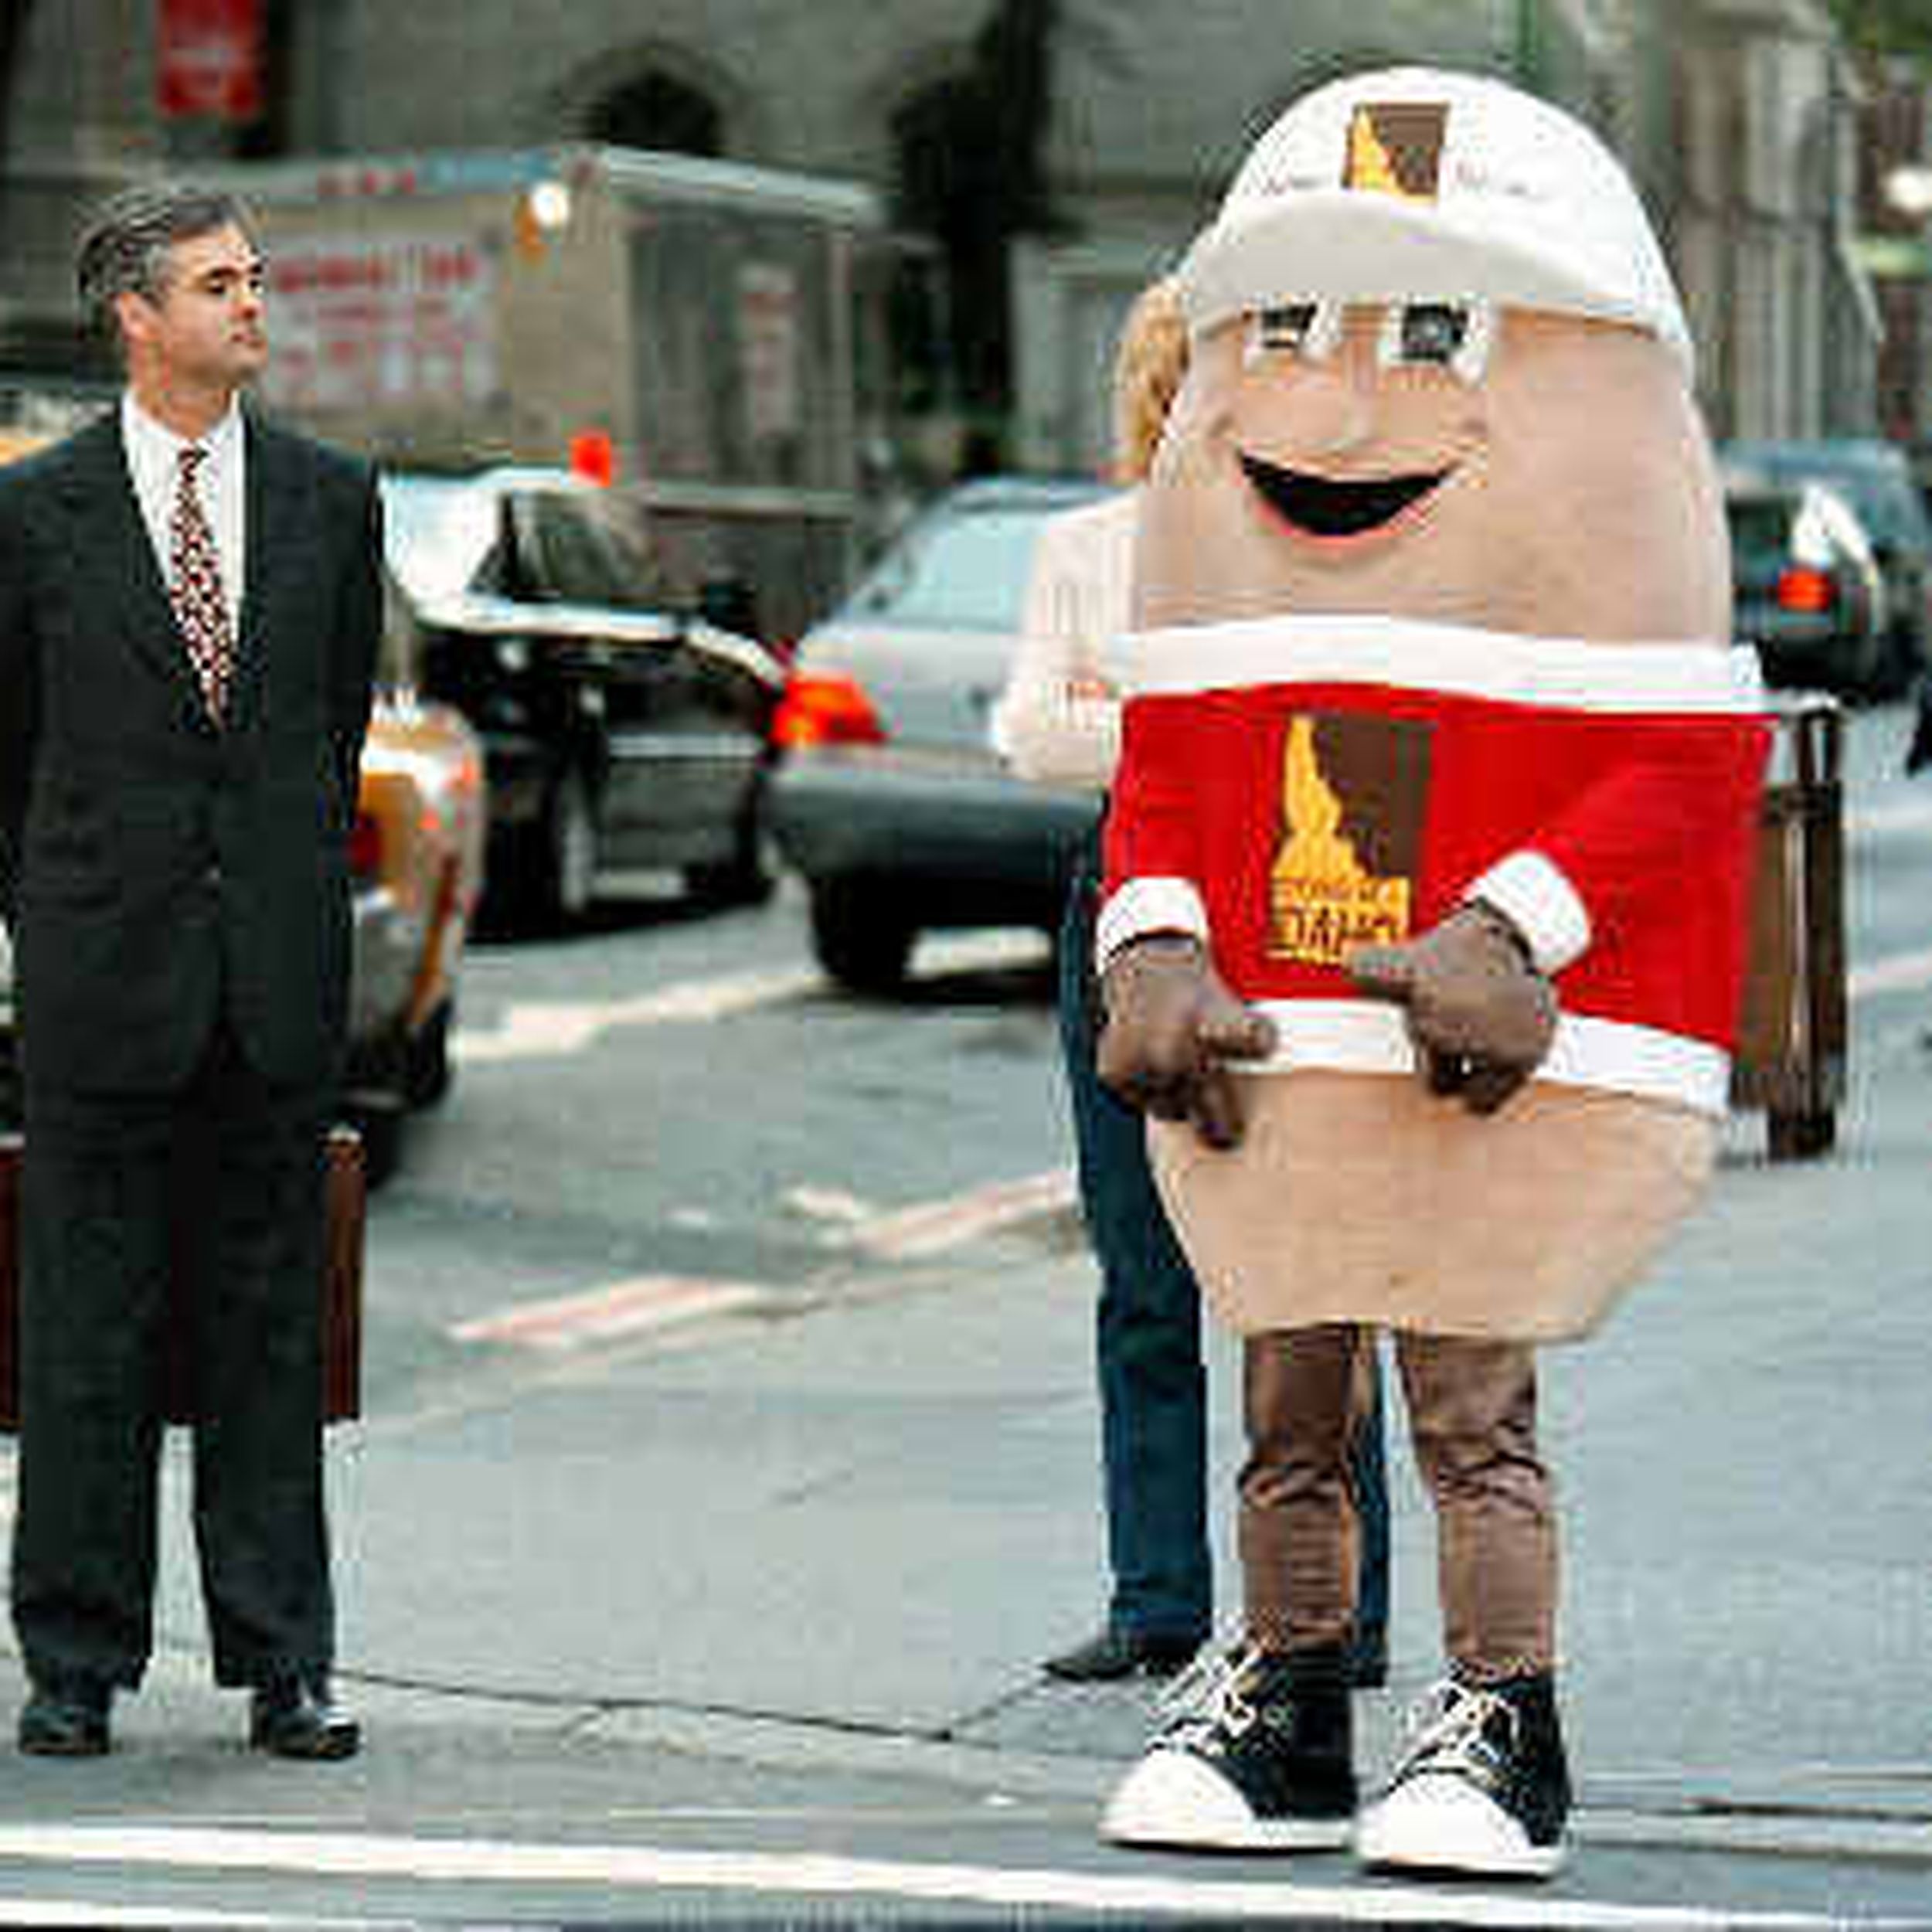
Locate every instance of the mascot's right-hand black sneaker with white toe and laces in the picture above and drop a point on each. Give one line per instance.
(1483, 1788)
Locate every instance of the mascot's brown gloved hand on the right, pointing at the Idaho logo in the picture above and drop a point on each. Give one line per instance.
(1479, 1011)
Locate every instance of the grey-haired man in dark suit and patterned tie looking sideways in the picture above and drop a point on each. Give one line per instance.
(186, 658)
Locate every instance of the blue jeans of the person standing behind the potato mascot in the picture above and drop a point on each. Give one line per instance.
(1149, 1346)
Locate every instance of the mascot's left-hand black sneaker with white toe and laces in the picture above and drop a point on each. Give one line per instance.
(1255, 1757)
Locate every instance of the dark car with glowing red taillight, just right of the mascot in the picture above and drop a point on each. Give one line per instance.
(1805, 584)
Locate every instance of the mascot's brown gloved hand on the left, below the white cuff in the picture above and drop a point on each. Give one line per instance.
(1172, 1033)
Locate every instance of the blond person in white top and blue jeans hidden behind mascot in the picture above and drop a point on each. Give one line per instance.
(1060, 722)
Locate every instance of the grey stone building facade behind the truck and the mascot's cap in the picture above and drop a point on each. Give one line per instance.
(1738, 119)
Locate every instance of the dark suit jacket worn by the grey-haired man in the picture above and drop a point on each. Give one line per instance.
(157, 870)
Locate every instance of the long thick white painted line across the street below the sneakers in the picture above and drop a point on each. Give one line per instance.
(776, 1875)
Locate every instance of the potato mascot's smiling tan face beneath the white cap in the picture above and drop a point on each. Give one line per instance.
(1473, 467)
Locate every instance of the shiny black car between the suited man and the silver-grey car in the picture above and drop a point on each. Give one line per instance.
(619, 731)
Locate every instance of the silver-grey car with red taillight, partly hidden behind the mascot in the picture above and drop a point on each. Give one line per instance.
(890, 799)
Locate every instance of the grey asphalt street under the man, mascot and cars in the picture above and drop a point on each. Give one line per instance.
(729, 1465)
